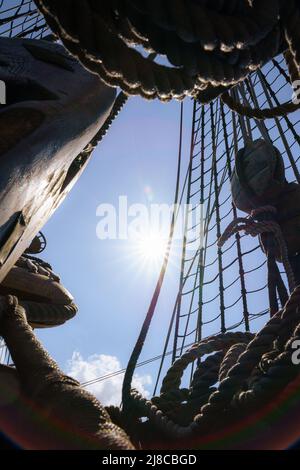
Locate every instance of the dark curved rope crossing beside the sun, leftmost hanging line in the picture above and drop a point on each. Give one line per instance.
(126, 389)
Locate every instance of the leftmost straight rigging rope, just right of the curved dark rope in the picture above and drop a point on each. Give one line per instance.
(175, 343)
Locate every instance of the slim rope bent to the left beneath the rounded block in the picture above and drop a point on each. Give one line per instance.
(254, 228)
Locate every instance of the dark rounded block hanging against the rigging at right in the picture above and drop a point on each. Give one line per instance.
(259, 180)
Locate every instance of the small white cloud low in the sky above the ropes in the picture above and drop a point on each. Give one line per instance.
(98, 365)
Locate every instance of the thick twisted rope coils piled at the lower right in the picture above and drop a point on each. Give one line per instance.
(251, 370)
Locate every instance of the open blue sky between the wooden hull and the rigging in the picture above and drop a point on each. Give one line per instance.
(111, 286)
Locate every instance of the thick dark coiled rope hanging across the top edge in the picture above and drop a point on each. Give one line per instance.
(211, 46)
